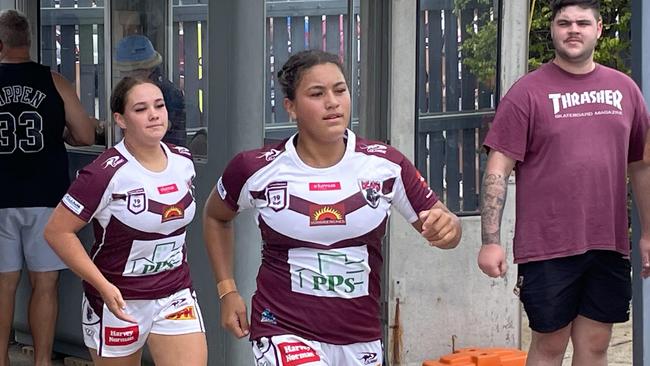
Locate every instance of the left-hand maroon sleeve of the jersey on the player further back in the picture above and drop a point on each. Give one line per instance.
(87, 194)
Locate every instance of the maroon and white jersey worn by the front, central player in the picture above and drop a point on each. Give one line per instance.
(322, 232)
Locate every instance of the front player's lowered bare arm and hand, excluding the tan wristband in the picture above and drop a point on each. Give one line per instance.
(218, 234)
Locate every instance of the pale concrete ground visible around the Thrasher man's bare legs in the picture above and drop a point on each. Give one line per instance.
(620, 347)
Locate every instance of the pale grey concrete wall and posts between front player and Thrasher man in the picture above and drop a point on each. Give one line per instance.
(443, 294)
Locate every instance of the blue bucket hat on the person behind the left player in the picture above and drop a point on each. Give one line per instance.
(135, 52)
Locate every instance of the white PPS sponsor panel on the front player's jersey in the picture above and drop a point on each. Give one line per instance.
(342, 272)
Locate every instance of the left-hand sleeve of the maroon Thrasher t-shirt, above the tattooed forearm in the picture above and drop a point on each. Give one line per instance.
(509, 131)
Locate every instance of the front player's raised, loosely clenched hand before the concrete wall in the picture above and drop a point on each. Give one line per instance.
(440, 227)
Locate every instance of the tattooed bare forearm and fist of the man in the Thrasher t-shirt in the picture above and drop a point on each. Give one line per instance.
(494, 189)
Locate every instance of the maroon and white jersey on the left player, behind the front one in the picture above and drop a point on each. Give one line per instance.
(139, 219)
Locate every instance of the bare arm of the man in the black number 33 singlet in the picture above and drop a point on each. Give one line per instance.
(80, 130)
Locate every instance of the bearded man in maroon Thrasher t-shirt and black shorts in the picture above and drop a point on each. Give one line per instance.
(571, 130)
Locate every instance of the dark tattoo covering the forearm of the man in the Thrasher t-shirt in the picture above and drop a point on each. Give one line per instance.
(493, 198)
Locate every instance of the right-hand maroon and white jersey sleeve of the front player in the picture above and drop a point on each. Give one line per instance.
(412, 193)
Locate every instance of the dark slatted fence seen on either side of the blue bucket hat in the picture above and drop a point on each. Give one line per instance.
(72, 42)
